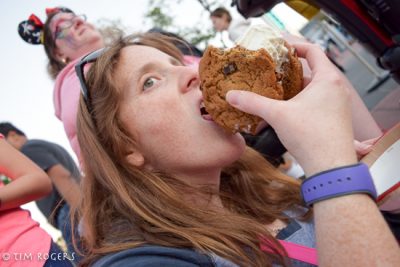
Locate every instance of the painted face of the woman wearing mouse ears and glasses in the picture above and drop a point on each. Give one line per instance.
(74, 37)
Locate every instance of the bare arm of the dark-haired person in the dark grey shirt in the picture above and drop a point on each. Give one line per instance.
(65, 184)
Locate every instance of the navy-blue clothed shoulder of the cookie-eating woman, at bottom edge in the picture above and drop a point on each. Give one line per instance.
(147, 256)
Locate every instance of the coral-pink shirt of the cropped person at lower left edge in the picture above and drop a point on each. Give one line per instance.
(22, 239)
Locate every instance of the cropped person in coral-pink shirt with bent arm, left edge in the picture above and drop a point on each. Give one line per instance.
(22, 239)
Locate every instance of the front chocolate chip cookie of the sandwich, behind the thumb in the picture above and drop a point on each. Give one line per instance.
(236, 69)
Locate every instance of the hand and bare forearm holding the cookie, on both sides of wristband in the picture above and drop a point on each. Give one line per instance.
(316, 128)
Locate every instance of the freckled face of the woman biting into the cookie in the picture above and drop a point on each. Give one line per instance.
(161, 109)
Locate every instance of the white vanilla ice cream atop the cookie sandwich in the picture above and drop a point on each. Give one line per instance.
(263, 36)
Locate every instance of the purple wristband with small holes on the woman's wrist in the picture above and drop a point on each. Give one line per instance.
(338, 182)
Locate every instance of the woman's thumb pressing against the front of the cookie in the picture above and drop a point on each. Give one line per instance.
(252, 103)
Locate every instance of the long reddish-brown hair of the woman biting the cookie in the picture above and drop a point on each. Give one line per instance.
(124, 207)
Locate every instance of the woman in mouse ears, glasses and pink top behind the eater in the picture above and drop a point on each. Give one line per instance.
(67, 37)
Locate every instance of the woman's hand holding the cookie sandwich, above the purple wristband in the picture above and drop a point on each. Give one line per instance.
(315, 126)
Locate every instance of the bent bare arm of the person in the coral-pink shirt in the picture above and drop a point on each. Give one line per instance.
(29, 182)
